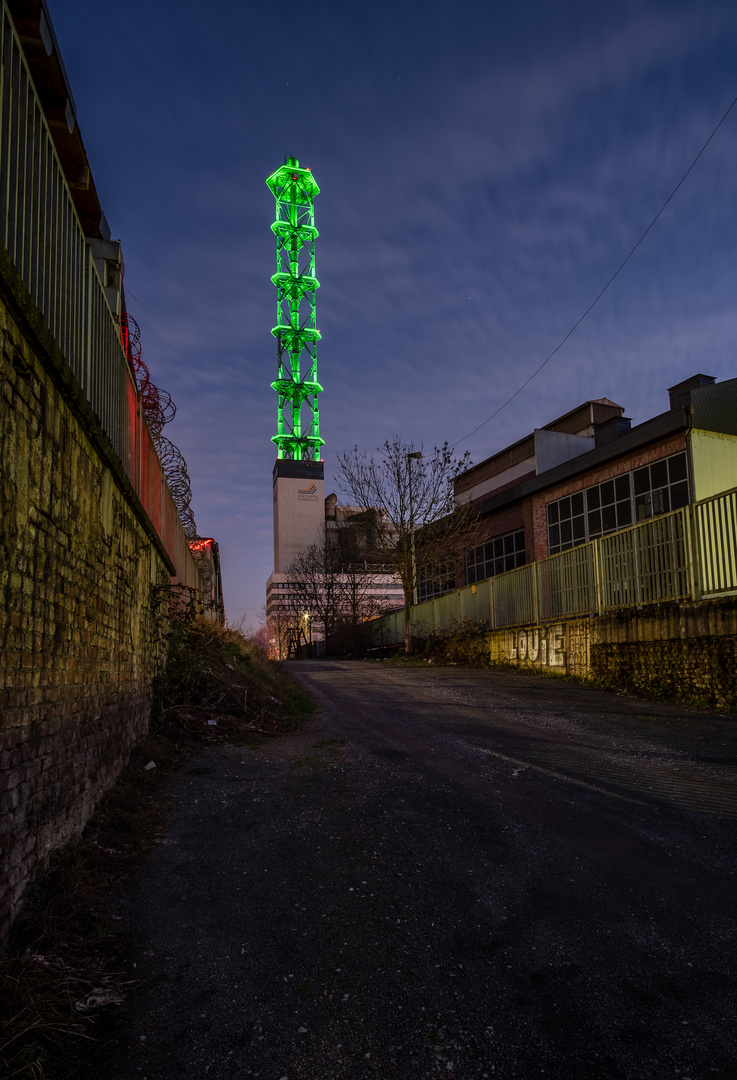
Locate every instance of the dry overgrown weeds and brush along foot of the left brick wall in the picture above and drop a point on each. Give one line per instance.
(66, 961)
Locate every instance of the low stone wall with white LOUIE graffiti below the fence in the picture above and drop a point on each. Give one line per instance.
(677, 651)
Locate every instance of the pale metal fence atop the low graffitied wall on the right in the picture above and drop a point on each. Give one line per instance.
(687, 555)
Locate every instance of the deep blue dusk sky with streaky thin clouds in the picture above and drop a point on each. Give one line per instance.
(485, 170)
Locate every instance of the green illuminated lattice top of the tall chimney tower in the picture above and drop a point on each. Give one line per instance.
(297, 333)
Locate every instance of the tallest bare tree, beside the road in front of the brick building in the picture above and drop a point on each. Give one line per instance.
(417, 526)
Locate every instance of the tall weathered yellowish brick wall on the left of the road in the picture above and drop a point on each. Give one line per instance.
(81, 570)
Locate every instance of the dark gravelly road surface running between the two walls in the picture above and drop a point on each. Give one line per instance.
(450, 873)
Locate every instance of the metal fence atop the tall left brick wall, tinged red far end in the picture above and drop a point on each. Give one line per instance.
(43, 234)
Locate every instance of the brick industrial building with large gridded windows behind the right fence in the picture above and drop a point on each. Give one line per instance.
(591, 474)
